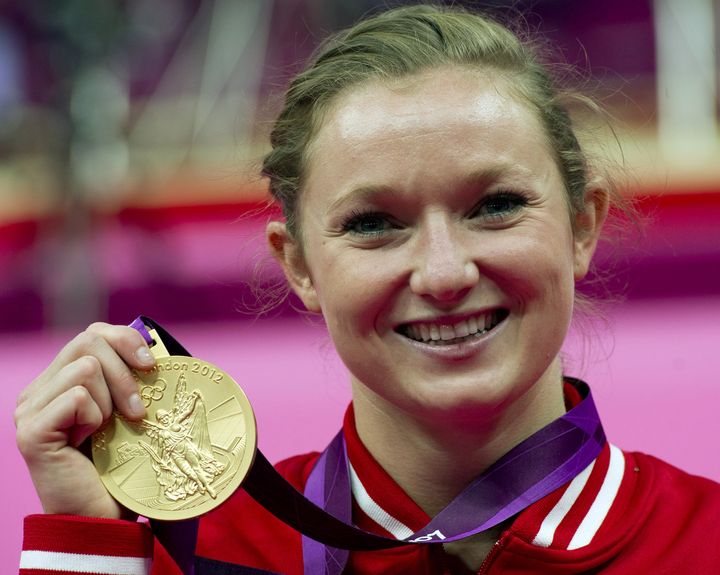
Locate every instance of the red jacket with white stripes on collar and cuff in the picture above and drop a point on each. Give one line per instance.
(627, 513)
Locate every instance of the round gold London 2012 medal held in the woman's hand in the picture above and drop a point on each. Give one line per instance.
(192, 450)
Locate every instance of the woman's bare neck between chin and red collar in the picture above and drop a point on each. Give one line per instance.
(440, 454)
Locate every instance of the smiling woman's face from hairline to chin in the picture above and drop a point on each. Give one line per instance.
(437, 242)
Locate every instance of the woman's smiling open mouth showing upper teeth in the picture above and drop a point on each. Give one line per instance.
(446, 333)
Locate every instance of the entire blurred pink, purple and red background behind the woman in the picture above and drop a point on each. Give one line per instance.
(131, 134)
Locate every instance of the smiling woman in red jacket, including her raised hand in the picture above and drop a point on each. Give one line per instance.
(438, 211)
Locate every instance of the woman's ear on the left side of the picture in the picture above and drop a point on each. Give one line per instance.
(288, 252)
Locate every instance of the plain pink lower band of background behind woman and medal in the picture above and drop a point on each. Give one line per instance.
(653, 368)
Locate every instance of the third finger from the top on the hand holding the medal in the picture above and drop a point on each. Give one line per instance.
(86, 372)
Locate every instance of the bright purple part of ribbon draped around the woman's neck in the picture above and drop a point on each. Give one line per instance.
(539, 465)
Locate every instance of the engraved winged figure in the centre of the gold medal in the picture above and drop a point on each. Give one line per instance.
(181, 453)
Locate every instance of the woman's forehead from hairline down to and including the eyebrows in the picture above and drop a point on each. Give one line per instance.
(423, 131)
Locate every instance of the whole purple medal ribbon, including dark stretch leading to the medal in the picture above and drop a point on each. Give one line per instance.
(545, 461)
